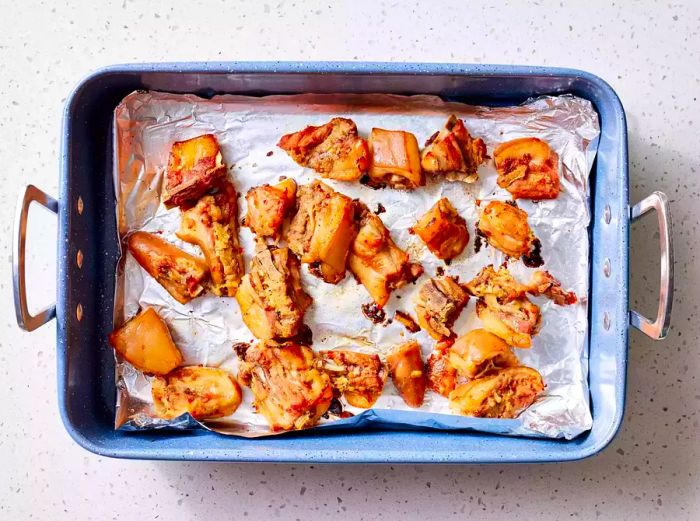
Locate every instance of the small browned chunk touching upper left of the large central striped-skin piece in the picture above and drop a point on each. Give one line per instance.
(268, 206)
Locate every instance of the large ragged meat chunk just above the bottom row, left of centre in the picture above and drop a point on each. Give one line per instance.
(270, 296)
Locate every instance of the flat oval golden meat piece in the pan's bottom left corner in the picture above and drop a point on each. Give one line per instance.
(204, 392)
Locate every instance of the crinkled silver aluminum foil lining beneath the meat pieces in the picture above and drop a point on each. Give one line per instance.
(248, 128)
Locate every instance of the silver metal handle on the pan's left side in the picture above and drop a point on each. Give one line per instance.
(26, 320)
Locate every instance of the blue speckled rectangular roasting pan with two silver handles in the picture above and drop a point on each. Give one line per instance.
(85, 208)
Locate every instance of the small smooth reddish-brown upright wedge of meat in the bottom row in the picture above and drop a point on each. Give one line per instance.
(408, 373)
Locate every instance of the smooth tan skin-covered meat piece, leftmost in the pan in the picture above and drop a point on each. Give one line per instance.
(145, 342)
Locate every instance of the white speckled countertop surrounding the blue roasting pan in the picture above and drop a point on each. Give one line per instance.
(649, 52)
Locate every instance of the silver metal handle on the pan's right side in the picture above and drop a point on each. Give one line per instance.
(659, 327)
